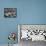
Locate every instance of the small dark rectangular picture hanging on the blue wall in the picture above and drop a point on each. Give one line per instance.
(10, 12)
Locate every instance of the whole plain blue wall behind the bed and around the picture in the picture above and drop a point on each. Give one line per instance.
(28, 12)
